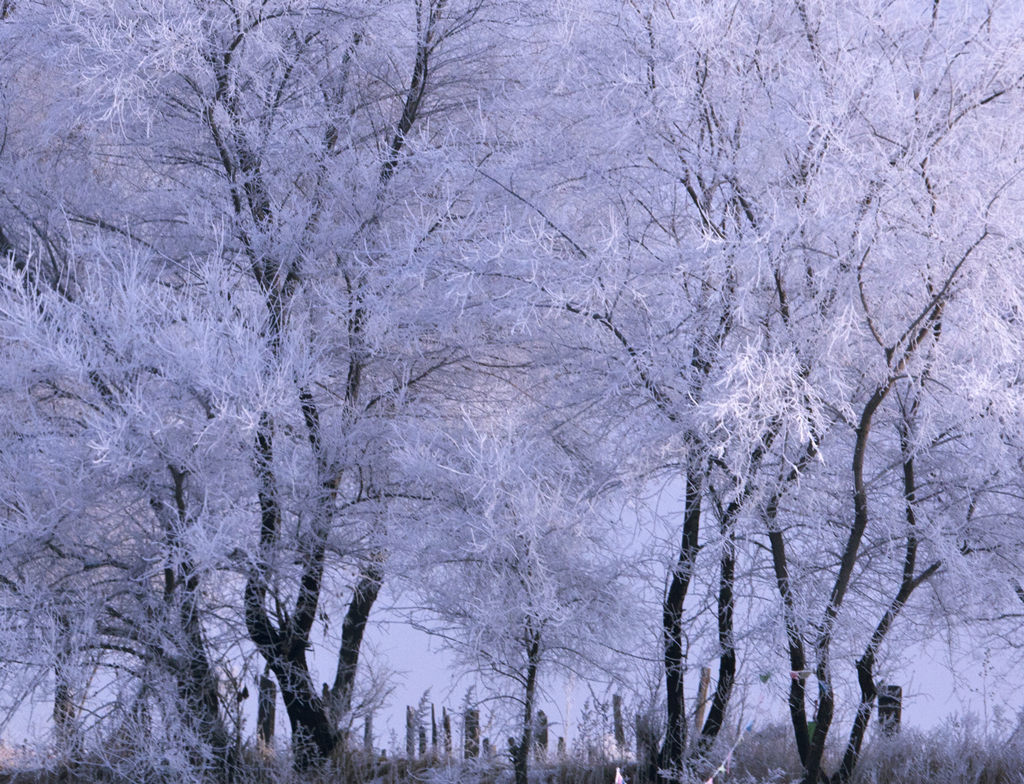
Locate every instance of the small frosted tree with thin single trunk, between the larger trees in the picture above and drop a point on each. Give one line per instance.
(518, 574)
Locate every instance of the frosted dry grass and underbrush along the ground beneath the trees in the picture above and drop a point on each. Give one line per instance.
(956, 754)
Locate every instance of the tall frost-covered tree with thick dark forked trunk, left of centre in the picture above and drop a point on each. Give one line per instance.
(286, 148)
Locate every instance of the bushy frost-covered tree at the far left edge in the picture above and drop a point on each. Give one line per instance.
(118, 512)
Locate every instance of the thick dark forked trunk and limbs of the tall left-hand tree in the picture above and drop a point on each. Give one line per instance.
(315, 734)
